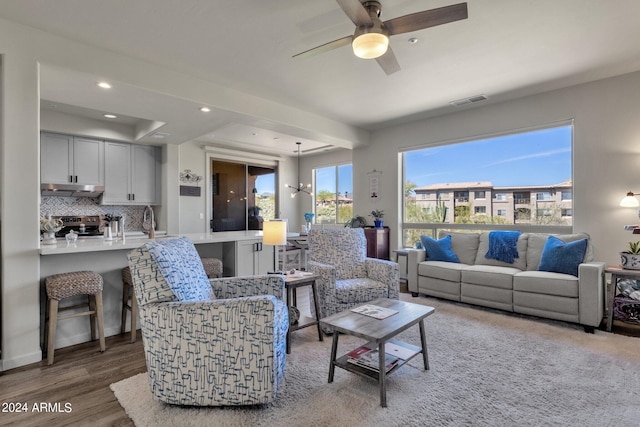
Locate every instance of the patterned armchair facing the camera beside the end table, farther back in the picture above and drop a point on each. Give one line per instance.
(347, 276)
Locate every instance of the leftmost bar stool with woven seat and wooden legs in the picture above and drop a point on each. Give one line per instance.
(67, 285)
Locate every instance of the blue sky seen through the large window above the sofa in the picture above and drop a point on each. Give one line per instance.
(541, 157)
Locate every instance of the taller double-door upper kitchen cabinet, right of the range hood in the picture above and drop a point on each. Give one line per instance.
(131, 174)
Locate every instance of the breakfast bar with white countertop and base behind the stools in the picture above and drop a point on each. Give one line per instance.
(241, 252)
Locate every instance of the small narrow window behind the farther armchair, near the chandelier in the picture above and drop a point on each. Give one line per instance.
(333, 194)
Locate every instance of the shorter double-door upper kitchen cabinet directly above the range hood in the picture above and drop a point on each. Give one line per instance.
(66, 159)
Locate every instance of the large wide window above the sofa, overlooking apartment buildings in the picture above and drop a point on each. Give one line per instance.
(512, 168)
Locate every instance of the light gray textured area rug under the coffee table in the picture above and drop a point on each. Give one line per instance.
(487, 369)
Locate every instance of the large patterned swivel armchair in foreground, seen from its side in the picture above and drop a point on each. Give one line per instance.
(208, 342)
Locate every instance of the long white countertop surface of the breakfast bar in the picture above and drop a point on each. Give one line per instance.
(134, 240)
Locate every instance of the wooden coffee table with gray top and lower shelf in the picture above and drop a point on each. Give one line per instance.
(378, 332)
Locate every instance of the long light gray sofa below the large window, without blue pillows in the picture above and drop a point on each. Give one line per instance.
(516, 287)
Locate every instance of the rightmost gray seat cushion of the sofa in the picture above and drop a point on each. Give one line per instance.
(542, 282)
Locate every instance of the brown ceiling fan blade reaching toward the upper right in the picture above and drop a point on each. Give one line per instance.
(425, 19)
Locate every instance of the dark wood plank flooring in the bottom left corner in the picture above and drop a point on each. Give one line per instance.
(75, 389)
